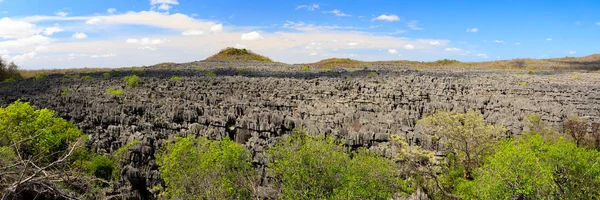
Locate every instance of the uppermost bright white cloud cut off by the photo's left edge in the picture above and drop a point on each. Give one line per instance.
(16, 29)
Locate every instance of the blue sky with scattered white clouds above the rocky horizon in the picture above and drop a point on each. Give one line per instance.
(114, 33)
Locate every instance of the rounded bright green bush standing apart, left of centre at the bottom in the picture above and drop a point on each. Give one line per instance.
(198, 168)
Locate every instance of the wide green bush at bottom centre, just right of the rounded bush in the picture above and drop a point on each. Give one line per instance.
(307, 167)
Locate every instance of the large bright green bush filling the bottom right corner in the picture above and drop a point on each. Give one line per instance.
(531, 168)
